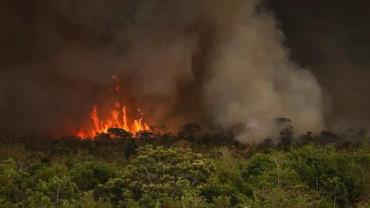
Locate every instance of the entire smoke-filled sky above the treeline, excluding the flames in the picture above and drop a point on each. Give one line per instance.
(214, 62)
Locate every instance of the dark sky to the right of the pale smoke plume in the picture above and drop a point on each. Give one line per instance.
(332, 39)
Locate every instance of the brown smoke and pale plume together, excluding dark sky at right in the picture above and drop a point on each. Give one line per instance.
(220, 63)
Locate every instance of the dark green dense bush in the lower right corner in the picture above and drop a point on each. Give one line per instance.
(338, 175)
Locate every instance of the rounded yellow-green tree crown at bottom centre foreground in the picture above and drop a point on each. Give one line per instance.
(158, 173)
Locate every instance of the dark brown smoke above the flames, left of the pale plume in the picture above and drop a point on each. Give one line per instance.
(58, 57)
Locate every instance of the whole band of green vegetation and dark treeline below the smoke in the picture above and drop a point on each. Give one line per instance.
(187, 170)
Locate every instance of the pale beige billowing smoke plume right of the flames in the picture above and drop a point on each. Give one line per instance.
(253, 81)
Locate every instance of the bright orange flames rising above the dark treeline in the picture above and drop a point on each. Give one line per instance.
(118, 119)
